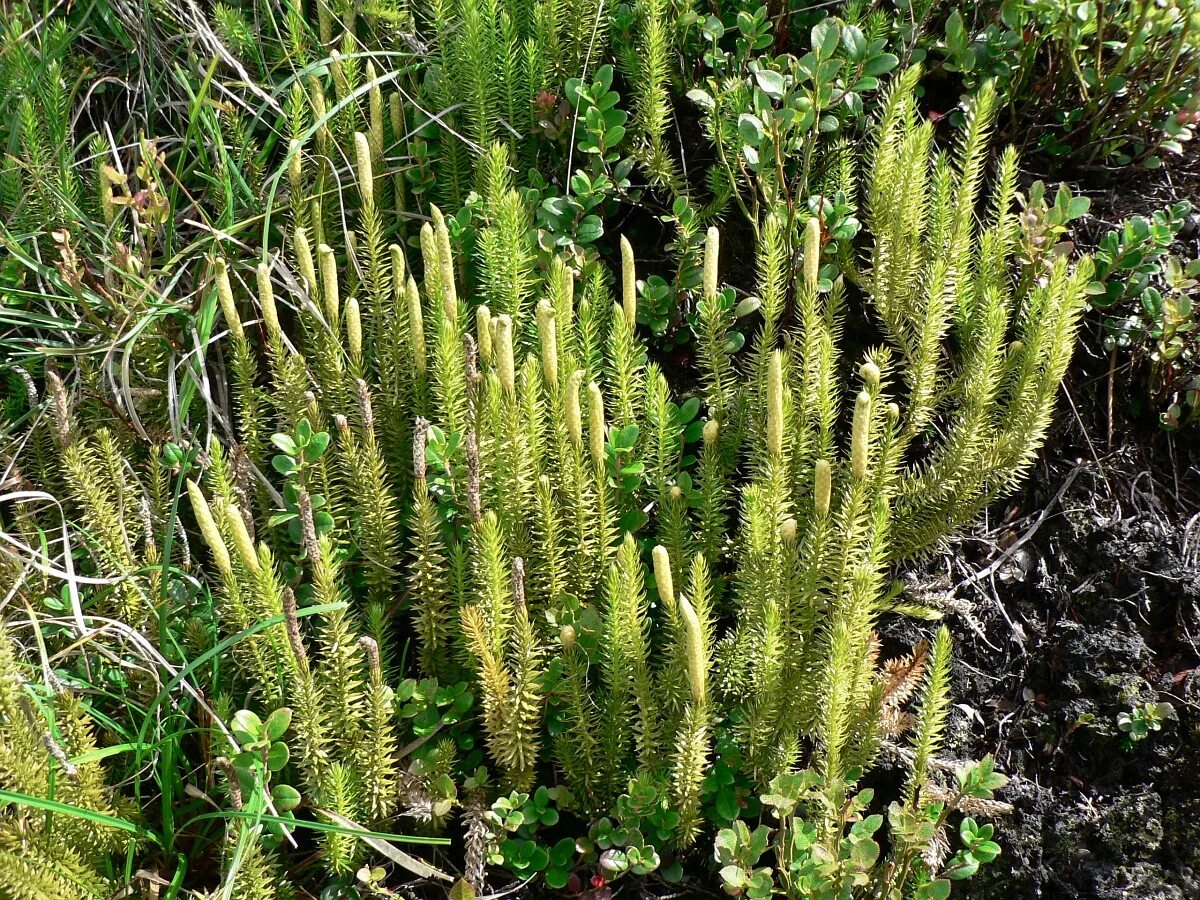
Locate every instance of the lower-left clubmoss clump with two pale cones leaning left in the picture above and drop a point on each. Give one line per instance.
(346, 723)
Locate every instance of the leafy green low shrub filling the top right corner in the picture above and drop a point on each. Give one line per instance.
(1106, 85)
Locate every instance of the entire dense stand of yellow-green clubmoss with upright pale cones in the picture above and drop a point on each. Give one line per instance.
(484, 476)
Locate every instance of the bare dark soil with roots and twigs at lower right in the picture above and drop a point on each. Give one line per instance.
(1085, 602)
